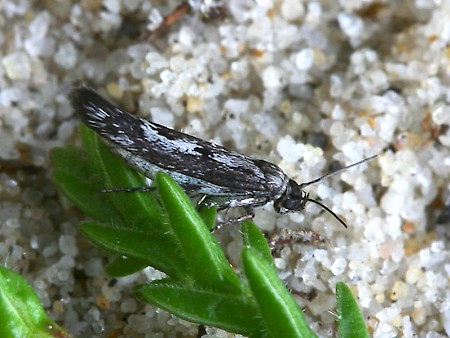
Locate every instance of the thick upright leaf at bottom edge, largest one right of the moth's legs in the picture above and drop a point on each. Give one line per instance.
(280, 312)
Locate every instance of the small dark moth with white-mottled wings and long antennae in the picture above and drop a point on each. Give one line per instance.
(200, 167)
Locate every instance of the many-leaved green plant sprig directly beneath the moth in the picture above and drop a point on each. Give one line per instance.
(165, 231)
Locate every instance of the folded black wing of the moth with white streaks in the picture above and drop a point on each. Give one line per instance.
(199, 166)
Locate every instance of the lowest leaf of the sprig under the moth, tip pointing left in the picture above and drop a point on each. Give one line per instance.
(233, 313)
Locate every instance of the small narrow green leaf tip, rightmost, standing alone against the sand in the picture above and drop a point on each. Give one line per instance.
(350, 320)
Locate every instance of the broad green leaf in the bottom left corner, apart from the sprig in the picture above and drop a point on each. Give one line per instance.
(21, 313)
